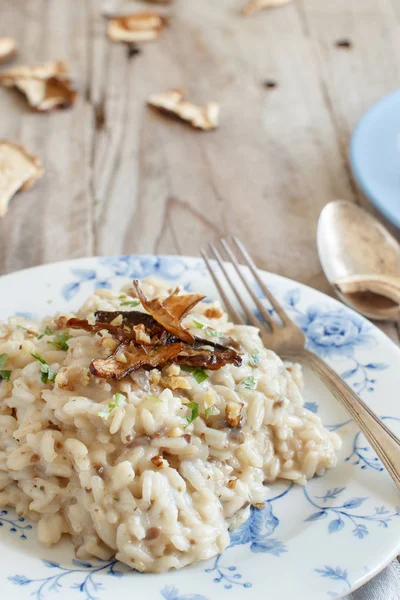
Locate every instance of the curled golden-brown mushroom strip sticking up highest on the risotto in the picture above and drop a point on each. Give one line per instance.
(159, 310)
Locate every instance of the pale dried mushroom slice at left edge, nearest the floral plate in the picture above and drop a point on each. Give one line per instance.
(18, 171)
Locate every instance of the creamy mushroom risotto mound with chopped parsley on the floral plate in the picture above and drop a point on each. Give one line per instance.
(155, 466)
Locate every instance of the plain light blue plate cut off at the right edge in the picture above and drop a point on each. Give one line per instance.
(375, 156)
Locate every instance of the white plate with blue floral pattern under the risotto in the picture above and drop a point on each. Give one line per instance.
(321, 541)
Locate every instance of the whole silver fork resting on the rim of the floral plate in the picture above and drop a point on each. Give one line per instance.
(286, 339)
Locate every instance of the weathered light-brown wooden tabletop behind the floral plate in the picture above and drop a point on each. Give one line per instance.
(122, 178)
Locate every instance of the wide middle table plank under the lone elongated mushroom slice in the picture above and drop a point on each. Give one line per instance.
(266, 173)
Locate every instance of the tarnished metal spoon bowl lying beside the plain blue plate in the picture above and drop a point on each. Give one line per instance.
(361, 259)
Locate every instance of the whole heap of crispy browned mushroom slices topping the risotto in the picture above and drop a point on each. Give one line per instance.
(152, 340)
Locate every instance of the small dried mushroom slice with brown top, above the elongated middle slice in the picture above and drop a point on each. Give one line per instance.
(140, 27)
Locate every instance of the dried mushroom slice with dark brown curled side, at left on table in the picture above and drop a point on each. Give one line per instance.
(45, 86)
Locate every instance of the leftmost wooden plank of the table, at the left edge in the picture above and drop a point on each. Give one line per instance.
(53, 220)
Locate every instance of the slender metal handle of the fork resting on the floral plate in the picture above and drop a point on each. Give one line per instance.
(382, 440)
